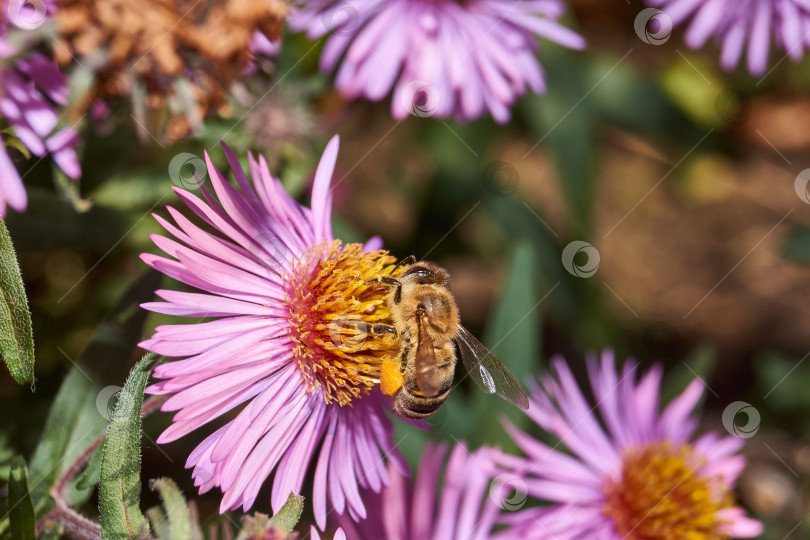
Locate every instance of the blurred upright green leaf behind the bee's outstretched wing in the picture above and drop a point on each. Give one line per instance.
(513, 336)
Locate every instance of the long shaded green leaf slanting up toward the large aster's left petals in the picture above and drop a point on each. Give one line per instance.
(77, 415)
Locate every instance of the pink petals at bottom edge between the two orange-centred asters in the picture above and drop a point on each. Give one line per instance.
(458, 506)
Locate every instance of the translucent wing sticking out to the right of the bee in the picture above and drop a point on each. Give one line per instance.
(487, 372)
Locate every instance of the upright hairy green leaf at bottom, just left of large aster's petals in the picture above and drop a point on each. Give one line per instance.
(120, 485)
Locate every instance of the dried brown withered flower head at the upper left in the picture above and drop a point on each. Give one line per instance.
(148, 49)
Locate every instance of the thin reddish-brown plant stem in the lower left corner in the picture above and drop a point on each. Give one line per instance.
(73, 524)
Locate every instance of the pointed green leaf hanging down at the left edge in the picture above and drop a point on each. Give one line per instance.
(16, 336)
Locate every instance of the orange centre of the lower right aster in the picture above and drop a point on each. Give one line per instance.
(661, 494)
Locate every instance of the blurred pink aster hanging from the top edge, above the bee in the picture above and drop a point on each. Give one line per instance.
(442, 58)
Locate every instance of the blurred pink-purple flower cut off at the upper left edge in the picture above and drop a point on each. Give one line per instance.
(31, 89)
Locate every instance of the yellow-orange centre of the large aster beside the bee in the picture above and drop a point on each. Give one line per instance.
(333, 314)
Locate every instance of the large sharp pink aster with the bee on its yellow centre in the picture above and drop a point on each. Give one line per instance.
(292, 346)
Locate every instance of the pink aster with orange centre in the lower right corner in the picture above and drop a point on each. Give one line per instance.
(632, 473)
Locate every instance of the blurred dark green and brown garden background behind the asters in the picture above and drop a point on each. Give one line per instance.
(682, 177)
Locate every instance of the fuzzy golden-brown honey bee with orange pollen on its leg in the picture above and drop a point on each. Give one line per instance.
(425, 316)
